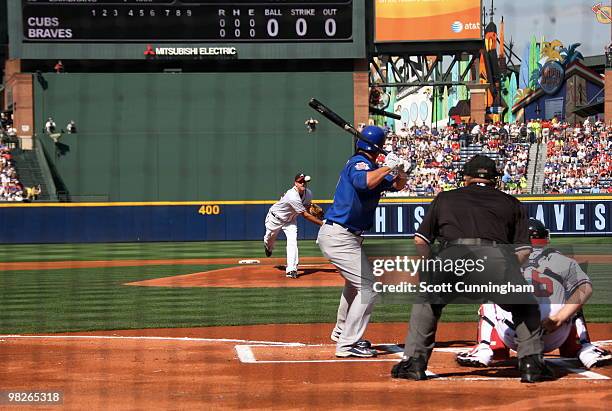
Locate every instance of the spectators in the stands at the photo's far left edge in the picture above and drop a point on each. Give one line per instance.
(11, 188)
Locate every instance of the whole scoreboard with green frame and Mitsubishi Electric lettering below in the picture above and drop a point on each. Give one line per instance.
(253, 29)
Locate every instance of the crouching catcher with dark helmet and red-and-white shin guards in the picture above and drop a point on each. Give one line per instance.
(562, 288)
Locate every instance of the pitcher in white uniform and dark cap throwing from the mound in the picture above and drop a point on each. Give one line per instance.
(283, 215)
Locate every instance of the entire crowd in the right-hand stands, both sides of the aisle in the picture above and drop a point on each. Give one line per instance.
(579, 157)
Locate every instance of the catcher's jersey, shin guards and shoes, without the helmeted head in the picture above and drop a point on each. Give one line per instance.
(555, 277)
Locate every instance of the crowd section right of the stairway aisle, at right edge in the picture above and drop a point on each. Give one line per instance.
(579, 159)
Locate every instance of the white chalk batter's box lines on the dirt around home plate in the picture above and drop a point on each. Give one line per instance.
(247, 356)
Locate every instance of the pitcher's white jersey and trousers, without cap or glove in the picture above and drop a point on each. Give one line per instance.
(282, 216)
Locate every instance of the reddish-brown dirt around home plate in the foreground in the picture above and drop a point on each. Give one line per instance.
(158, 373)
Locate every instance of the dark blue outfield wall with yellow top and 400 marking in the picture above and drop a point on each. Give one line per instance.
(235, 220)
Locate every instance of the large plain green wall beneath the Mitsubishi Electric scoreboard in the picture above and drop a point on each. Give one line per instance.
(192, 136)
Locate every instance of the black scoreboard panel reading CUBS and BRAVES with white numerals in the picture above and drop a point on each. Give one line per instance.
(186, 21)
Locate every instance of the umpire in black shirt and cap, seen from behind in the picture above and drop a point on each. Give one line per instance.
(476, 215)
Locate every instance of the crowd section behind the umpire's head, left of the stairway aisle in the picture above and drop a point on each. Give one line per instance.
(437, 155)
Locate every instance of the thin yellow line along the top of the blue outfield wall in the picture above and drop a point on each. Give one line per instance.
(391, 200)
